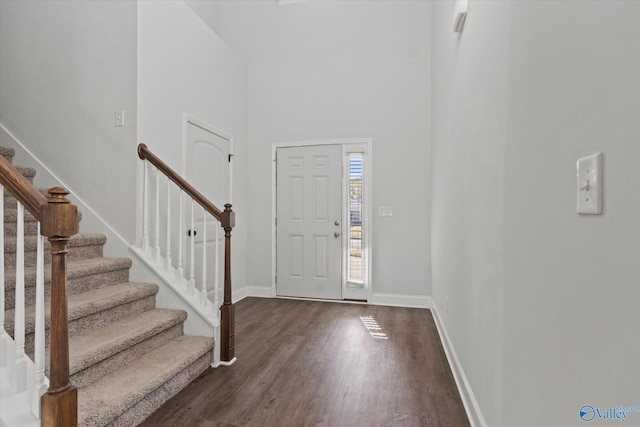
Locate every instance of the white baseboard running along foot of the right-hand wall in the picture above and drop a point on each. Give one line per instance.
(469, 400)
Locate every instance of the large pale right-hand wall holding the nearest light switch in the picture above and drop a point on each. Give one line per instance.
(542, 302)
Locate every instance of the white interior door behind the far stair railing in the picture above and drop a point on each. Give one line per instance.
(208, 170)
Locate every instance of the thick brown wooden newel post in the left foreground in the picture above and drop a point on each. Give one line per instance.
(59, 405)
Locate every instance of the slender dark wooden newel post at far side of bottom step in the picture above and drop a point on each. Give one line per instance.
(227, 311)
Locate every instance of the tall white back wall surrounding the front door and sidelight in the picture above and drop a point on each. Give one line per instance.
(334, 70)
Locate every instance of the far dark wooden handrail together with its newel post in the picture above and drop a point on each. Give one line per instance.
(227, 221)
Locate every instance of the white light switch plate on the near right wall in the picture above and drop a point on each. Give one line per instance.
(590, 185)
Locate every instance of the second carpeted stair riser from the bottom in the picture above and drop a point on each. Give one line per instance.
(97, 371)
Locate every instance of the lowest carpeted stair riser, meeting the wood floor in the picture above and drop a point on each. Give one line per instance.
(153, 401)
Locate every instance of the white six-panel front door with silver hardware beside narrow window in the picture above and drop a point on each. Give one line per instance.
(309, 216)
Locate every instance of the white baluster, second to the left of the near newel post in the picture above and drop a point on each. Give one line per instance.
(19, 376)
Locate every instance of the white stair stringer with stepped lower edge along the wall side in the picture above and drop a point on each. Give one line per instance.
(197, 323)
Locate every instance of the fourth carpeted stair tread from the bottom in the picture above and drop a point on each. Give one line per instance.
(75, 269)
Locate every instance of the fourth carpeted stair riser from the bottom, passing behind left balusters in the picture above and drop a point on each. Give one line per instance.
(75, 285)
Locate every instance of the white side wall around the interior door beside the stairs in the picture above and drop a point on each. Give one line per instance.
(184, 67)
